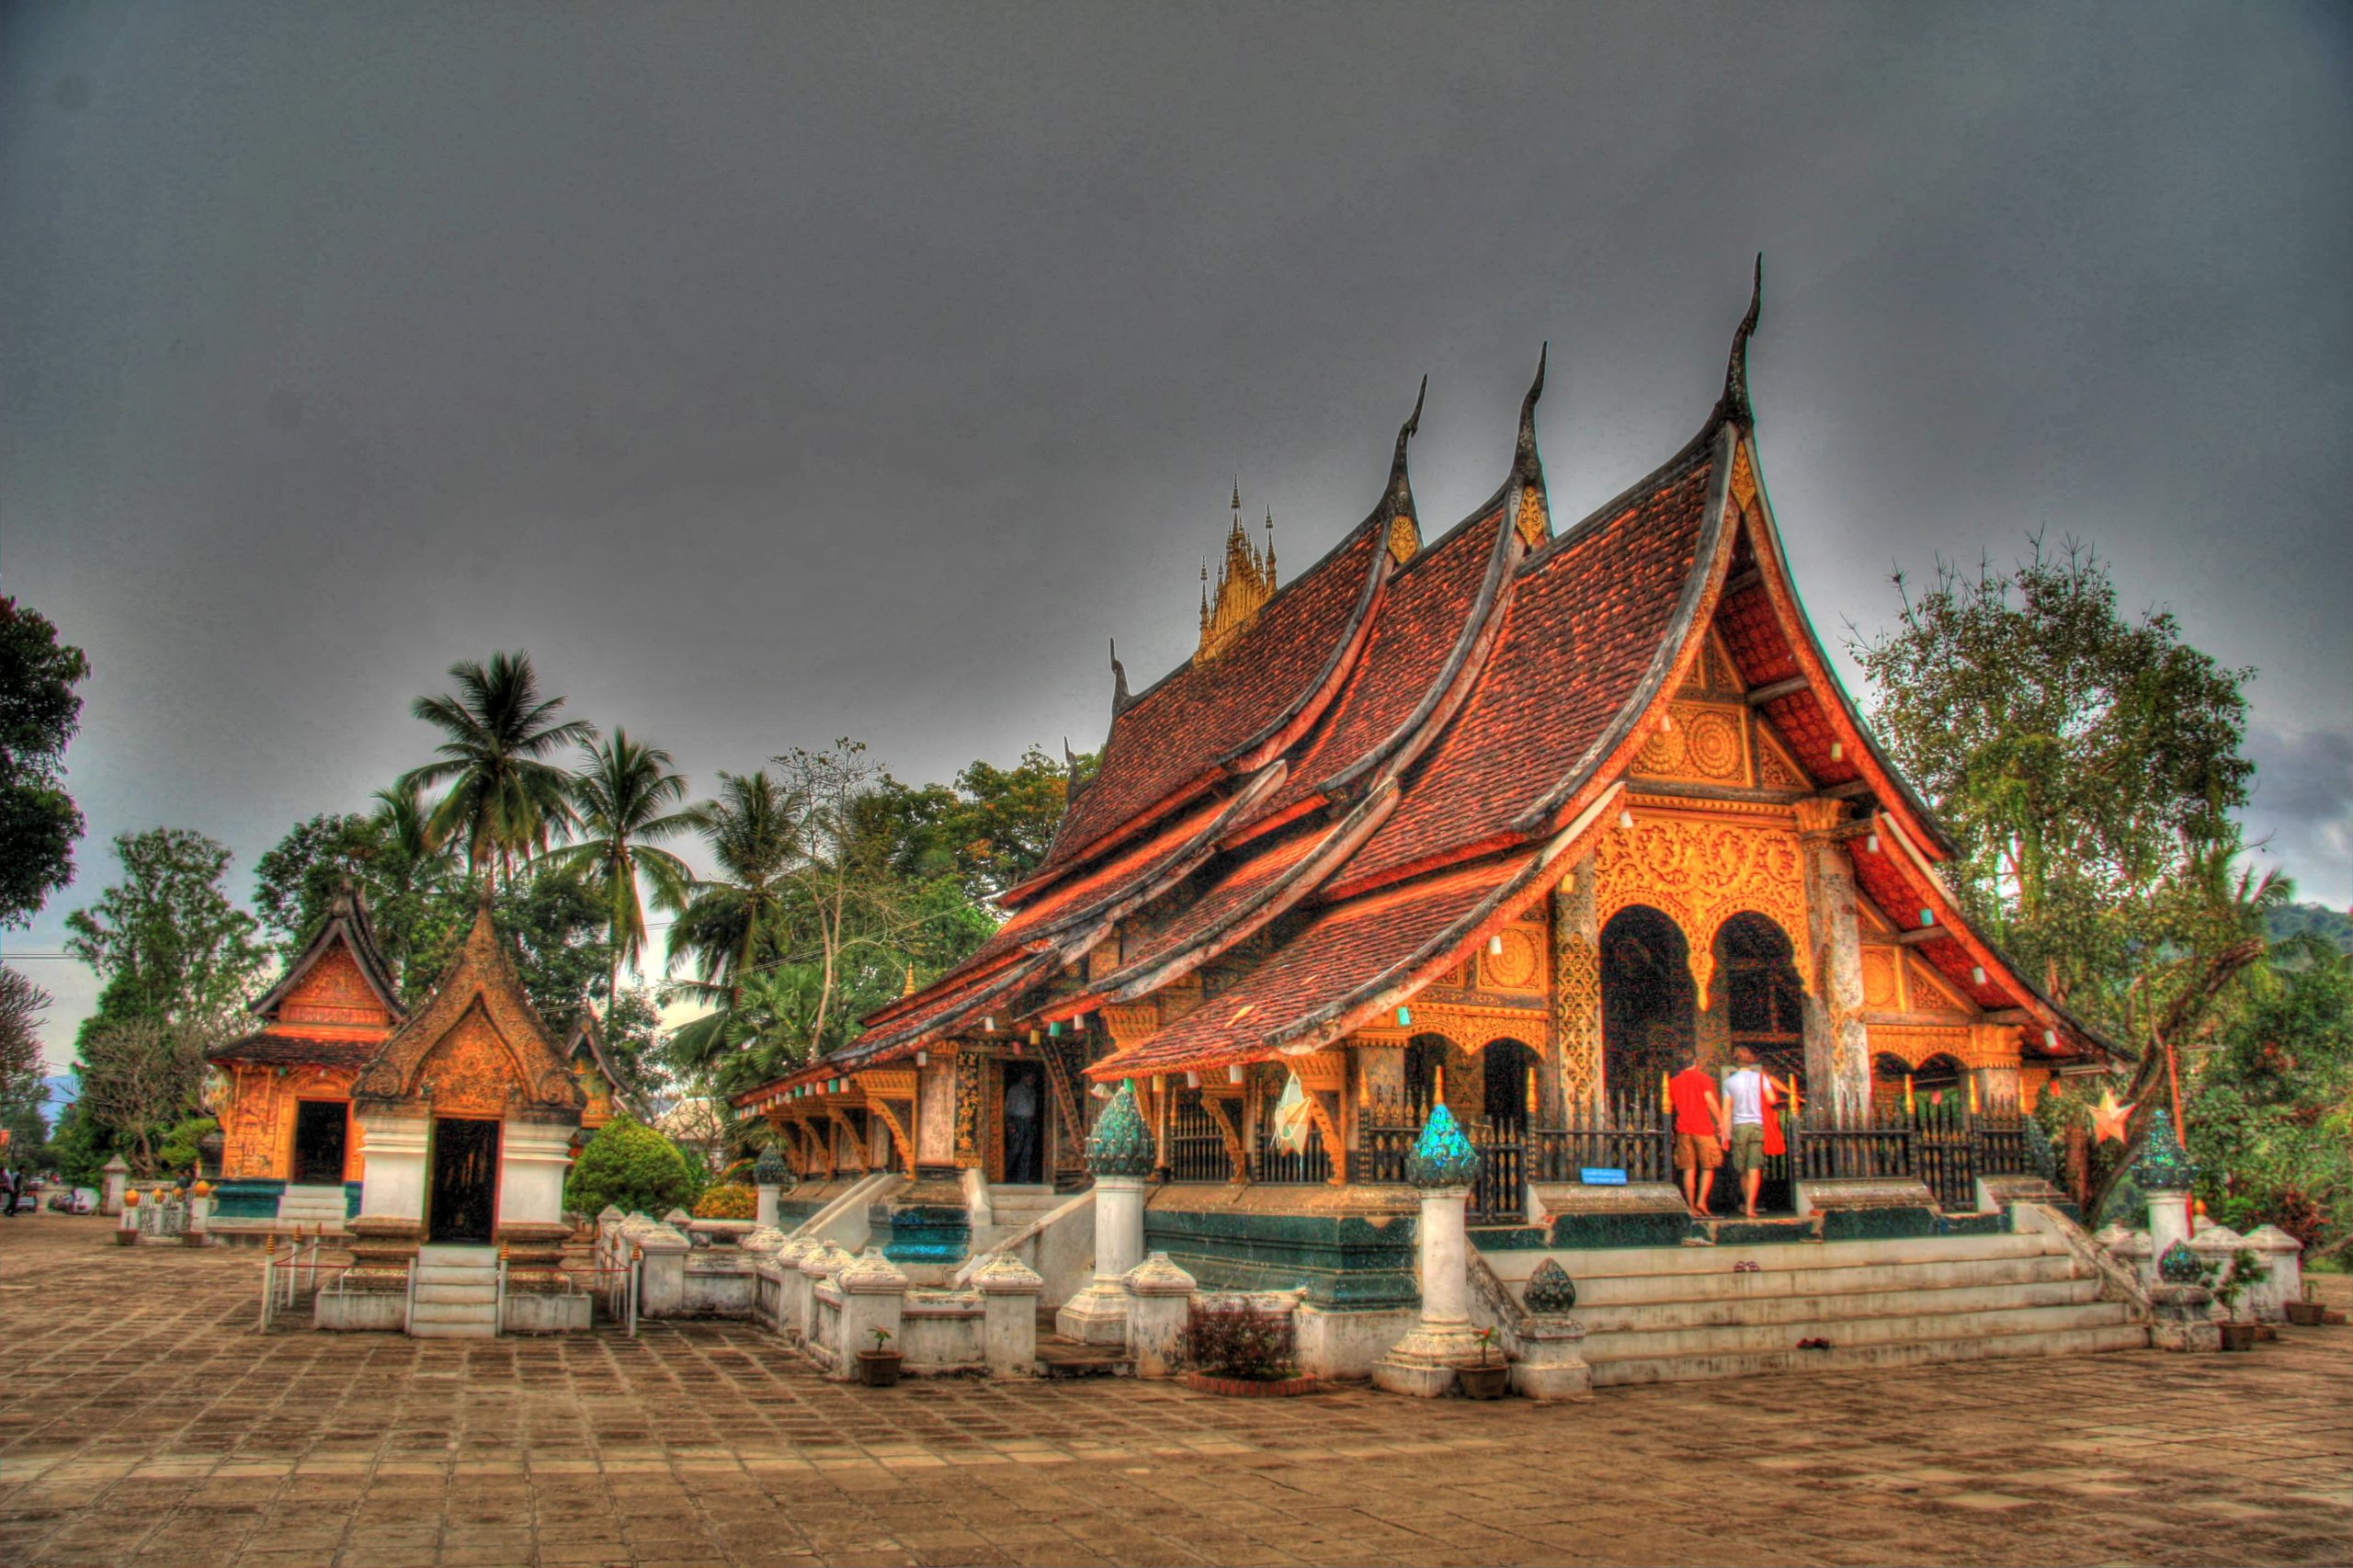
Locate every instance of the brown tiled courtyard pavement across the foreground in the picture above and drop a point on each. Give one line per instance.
(142, 1418)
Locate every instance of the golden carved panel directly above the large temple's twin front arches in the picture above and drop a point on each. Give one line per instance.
(1700, 875)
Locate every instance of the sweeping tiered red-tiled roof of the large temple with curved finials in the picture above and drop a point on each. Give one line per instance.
(1404, 748)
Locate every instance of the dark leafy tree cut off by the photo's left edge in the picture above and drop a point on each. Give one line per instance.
(39, 715)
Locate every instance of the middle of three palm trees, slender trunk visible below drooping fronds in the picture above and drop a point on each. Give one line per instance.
(622, 802)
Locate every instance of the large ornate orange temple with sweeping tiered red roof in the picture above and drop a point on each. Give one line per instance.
(1505, 820)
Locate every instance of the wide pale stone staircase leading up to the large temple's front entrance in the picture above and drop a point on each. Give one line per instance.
(1672, 1315)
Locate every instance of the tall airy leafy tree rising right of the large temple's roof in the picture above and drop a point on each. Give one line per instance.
(2088, 766)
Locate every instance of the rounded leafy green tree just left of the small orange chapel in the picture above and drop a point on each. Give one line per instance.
(166, 941)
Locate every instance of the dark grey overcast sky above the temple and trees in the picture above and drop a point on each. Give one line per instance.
(794, 373)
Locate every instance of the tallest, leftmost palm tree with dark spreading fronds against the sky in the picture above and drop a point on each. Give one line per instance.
(505, 797)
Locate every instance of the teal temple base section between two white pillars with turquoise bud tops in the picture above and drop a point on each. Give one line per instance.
(1345, 1263)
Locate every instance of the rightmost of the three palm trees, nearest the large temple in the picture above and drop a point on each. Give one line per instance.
(752, 837)
